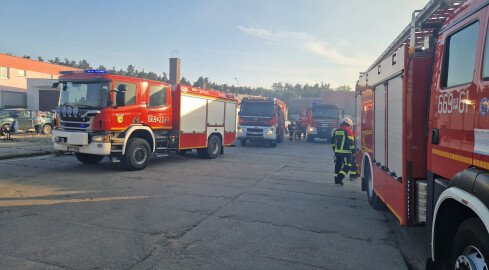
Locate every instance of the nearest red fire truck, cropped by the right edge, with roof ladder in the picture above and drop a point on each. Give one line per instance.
(423, 130)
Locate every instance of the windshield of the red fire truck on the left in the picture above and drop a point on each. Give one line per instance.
(89, 94)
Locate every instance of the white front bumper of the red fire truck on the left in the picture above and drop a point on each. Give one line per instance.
(72, 141)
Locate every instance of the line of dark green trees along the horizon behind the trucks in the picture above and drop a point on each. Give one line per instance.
(281, 90)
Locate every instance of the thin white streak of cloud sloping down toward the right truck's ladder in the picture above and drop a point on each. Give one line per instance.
(306, 41)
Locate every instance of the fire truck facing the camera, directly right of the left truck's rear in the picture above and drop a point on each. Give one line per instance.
(261, 119)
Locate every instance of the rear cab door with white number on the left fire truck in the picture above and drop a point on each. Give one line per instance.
(159, 109)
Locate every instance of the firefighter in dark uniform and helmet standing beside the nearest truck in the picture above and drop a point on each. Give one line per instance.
(342, 144)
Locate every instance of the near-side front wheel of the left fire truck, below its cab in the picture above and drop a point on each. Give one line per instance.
(137, 154)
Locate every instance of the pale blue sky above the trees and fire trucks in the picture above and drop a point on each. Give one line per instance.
(259, 42)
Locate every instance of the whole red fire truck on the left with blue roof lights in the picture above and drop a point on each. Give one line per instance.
(129, 119)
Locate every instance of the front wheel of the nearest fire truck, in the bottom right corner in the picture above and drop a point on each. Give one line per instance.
(471, 246)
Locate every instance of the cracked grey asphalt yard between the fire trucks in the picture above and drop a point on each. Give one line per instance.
(255, 207)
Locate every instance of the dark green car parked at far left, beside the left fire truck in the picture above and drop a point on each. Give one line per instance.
(25, 121)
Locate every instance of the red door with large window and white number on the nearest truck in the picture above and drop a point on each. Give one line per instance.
(452, 110)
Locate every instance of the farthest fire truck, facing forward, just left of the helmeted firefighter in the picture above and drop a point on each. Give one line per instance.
(319, 120)
